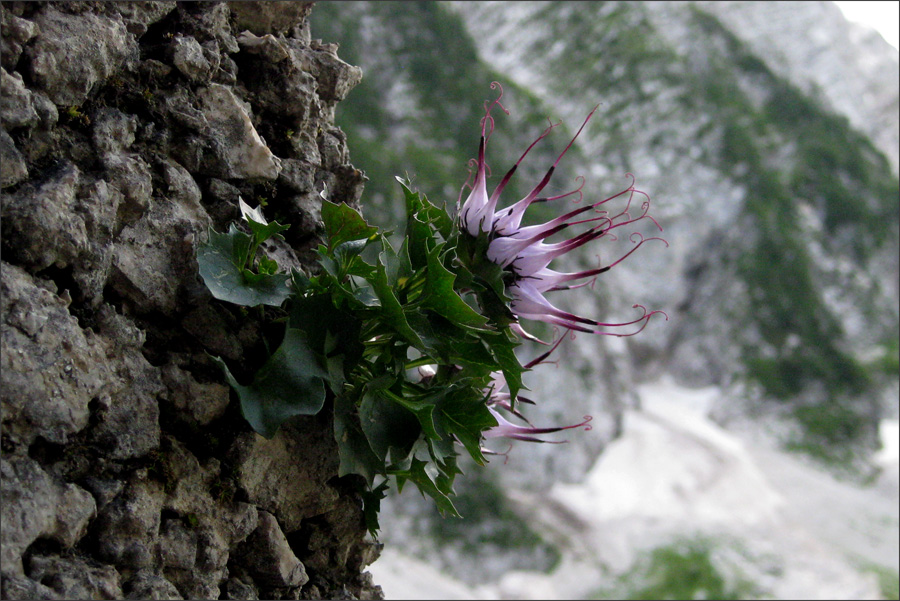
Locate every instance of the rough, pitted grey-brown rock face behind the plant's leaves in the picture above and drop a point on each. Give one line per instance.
(128, 130)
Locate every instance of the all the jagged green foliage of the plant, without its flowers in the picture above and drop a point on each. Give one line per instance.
(359, 331)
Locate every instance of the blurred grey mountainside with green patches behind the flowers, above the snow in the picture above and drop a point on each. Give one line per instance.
(780, 209)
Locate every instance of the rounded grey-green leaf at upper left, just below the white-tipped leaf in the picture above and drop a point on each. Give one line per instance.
(221, 260)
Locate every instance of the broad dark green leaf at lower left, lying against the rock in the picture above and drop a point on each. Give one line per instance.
(290, 383)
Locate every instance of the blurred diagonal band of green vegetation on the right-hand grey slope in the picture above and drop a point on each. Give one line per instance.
(844, 178)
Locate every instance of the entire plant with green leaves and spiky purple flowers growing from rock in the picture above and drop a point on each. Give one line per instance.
(418, 348)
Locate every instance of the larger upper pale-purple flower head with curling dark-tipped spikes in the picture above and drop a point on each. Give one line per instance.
(523, 251)
